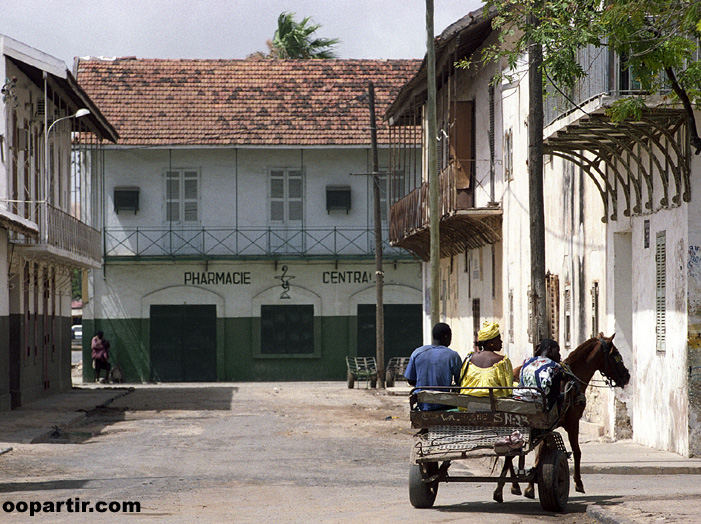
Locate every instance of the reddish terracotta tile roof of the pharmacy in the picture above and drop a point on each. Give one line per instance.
(242, 102)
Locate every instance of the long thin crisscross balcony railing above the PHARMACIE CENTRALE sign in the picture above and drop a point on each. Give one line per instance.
(253, 243)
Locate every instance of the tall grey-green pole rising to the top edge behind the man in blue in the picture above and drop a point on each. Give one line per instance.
(434, 215)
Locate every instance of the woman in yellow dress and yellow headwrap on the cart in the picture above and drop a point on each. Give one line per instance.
(485, 367)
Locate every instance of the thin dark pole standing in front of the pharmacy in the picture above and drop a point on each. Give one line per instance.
(379, 273)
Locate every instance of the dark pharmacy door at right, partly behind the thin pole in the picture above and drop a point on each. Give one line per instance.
(403, 330)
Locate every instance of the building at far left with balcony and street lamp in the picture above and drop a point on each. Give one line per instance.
(50, 214)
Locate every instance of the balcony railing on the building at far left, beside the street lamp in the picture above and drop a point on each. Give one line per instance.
(69, 237)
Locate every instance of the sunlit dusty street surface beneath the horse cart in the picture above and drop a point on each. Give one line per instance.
(284, 453)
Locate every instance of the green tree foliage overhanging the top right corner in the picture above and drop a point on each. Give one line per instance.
(657, 39)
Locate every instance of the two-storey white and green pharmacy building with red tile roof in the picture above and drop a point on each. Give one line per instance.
(239, 238)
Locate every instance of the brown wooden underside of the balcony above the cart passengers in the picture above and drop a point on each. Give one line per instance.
(463, 230)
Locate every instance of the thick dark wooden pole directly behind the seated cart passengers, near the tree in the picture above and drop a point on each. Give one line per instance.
(535, 185)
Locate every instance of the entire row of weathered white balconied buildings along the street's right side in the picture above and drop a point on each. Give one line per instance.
(621, 226)
